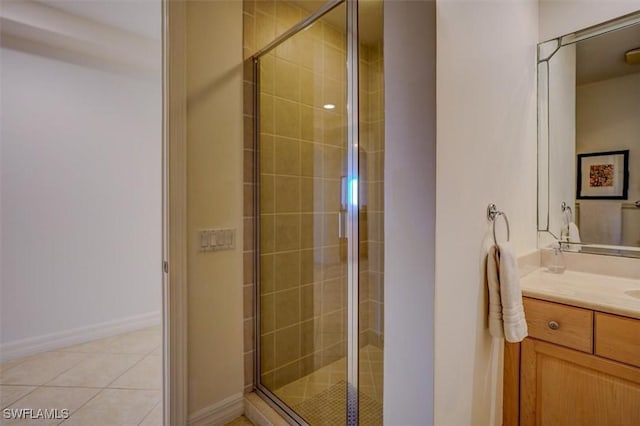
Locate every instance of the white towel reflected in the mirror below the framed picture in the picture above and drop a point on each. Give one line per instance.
(601, 222)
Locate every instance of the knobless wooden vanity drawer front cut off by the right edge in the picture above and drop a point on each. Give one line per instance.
(618, 338)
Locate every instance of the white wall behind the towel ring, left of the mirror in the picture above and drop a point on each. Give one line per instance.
(486, 153)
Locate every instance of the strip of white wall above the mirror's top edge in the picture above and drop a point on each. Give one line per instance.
(560, 17)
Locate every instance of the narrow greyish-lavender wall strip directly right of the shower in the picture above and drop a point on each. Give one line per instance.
(409, 186)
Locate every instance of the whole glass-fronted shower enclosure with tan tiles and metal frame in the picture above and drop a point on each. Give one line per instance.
(319, 217)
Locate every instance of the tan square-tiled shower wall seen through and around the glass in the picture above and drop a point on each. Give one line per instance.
(305, 327)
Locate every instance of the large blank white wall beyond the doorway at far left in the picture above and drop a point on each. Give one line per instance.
(80, 191)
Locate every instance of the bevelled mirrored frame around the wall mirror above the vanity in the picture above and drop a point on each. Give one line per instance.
(545, 51)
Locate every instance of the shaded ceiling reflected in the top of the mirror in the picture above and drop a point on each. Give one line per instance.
(602, 57)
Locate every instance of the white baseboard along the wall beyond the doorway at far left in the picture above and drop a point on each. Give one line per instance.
(61, 339)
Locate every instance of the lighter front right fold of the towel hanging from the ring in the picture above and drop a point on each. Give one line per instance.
(514, 323)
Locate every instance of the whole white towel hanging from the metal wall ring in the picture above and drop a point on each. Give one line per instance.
(506, 316)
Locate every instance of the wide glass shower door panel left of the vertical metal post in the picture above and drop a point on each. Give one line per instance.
(304, 195)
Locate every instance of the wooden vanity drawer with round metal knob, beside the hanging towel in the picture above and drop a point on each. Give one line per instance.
(560, 324)
